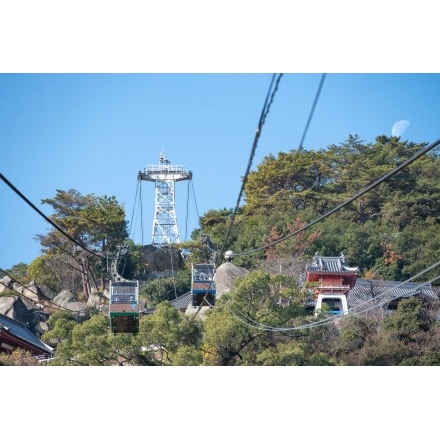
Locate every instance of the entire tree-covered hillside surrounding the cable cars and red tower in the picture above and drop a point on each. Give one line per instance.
(391, 233)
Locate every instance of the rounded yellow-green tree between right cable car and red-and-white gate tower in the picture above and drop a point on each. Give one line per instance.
(244, 321)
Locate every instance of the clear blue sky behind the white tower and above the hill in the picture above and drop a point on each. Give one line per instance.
(95, 132)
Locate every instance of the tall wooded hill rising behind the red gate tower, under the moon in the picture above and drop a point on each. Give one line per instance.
(390, 232)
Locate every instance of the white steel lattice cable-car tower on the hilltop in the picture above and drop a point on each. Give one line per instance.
(164, 175)
